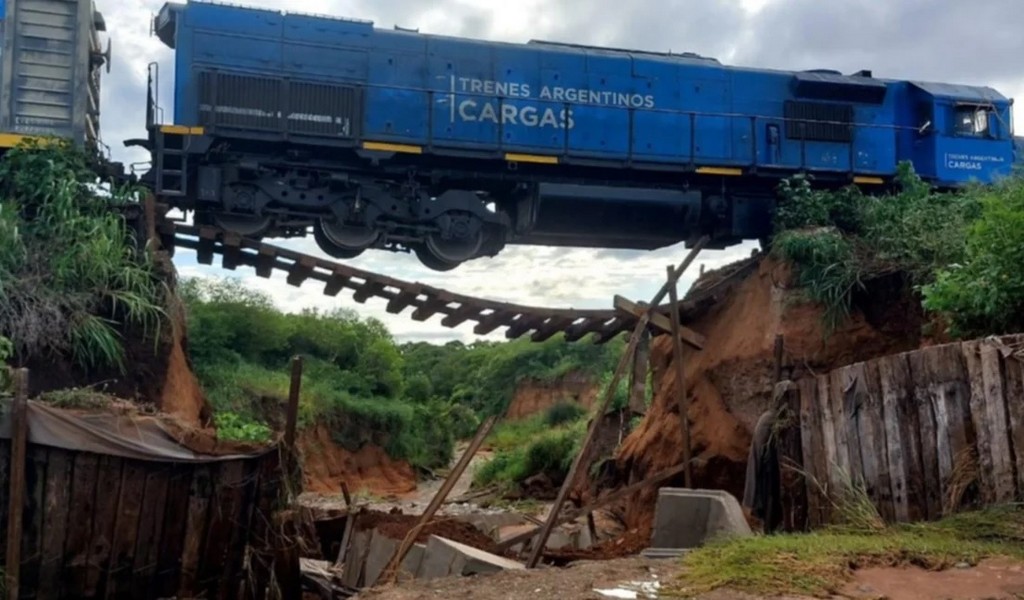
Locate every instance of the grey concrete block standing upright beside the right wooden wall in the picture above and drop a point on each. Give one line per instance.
(689, 519)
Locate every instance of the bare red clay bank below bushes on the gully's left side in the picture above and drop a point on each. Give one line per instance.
(326, 465)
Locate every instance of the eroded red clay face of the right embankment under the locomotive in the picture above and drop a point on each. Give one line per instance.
(730, 382)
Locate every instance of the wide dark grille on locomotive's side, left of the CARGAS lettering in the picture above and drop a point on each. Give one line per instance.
(270, 105)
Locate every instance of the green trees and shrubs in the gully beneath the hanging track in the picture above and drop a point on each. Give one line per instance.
(414, 401)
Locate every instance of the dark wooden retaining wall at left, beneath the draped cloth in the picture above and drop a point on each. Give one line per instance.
(103, 527)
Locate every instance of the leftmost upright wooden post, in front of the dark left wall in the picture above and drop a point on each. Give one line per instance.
(19, 442)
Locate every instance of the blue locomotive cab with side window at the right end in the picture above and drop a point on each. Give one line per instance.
(963, 135)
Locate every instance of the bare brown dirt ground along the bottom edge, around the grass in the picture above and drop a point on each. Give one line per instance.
(644, 579)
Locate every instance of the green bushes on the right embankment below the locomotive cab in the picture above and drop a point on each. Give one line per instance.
(962, 251)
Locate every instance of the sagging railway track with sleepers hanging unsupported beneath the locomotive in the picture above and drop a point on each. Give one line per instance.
(428, 302)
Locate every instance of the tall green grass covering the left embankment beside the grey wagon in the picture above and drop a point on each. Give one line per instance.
(72, 280)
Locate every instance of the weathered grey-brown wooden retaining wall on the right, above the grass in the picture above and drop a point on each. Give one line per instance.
(922, 431)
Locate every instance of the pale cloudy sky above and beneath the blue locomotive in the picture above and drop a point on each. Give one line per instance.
(978, 42)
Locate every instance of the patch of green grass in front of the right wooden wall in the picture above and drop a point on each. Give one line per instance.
(820, 564)
